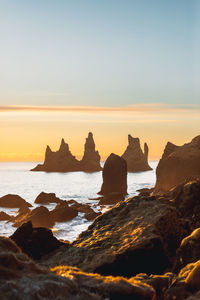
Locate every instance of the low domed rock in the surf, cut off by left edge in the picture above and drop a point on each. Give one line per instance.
(13, 201)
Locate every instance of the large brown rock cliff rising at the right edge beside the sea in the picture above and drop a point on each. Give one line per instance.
(179, 164)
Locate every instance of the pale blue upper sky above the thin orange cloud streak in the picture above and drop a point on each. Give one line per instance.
(108, 53)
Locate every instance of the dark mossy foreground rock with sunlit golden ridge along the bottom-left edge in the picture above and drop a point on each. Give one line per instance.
(21, 278)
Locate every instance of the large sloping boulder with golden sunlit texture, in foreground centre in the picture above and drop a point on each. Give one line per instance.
(137, 235)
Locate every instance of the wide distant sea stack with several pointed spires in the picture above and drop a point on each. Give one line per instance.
(63, 161)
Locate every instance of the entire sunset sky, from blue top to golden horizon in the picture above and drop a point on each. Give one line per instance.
(113, 67)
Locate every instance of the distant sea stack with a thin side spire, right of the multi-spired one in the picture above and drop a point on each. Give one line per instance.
(137, 161)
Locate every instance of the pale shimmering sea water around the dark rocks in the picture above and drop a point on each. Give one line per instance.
(16, 178)
